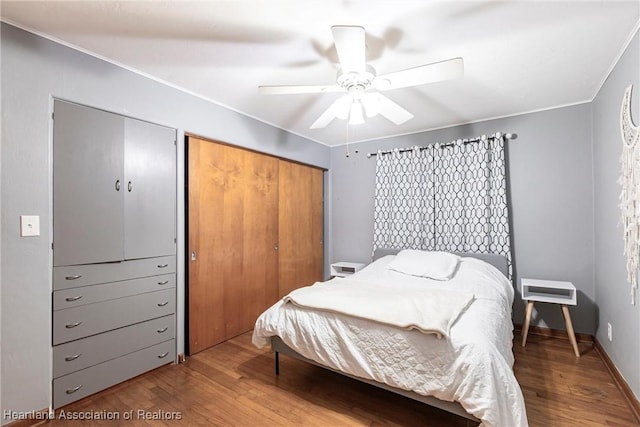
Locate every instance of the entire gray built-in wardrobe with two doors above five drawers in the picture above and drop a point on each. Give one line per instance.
(114, 249)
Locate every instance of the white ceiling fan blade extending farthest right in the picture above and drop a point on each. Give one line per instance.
(423, 74)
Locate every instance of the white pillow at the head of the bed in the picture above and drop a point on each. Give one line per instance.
(432, 265)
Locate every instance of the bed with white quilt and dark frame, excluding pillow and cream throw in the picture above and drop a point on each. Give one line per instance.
(465, 368)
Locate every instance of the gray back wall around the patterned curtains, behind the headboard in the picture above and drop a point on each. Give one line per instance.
(550, 174)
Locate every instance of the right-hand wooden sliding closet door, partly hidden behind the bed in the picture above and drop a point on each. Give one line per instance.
(300, 218)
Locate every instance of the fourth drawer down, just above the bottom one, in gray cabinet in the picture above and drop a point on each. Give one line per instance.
(86, 352)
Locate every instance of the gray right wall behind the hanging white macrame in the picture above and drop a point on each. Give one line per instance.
(612, 289)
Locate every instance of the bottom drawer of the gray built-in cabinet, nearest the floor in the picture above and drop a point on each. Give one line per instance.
(77, 385)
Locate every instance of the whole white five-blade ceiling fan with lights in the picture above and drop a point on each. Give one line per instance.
(363, 86)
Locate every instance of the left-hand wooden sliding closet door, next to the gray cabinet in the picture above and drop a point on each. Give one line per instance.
(233, 230)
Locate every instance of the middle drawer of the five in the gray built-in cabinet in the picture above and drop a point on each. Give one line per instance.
(90, 319)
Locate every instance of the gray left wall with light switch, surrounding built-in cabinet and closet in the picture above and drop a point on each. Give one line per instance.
(34, 70)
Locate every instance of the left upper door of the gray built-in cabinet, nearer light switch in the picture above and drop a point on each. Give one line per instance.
(88, 185)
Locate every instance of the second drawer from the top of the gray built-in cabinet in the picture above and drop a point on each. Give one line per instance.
(76, 297)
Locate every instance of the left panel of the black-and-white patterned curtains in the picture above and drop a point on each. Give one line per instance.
(404, 190)
